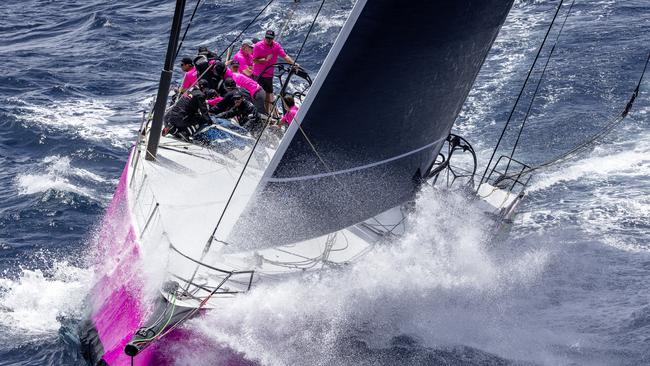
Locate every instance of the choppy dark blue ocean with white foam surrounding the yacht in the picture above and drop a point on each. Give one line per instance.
(567, 286)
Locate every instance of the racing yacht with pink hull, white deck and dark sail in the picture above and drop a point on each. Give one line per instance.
(192, 226)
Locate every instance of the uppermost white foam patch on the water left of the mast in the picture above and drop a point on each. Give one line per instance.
(87, 118)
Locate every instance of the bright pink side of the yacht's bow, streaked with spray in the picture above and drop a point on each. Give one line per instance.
(116, 299)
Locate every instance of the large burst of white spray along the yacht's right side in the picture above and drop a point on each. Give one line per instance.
(393, 290)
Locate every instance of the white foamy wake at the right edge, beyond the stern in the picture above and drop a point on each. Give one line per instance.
(615, 175)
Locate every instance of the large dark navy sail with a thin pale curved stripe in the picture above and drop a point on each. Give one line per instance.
(375, 119)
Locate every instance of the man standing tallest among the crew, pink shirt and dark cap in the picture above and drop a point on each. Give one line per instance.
(265, 54)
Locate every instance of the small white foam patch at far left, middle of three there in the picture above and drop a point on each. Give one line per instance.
(55, 173)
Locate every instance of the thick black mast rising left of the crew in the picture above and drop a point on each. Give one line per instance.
(165, 82)
